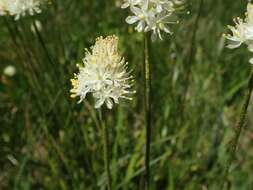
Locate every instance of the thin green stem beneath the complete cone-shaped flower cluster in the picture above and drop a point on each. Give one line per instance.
(106, 150)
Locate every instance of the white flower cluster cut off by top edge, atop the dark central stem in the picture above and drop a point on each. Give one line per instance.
(151, 15)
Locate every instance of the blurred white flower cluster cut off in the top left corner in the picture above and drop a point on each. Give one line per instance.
(18, 8)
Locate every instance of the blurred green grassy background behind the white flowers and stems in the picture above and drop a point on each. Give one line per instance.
(47, 141)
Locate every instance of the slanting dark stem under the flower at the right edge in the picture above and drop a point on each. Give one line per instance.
(239, 127)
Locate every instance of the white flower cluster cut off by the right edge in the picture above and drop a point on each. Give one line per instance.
(242, 32)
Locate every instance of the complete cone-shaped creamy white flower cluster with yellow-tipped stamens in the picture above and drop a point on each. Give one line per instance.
(103, 74)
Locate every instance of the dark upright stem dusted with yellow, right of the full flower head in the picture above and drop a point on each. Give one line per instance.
(147, 95)
